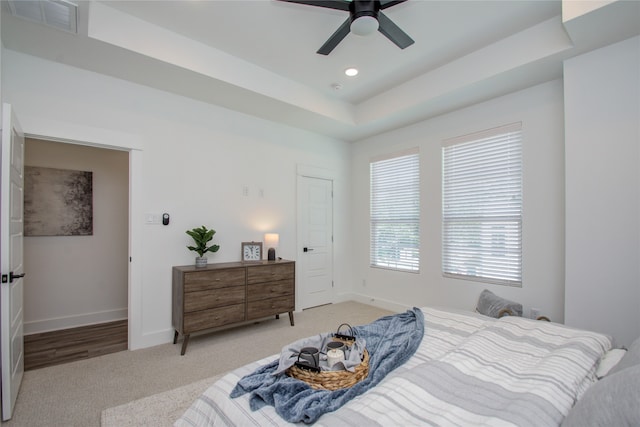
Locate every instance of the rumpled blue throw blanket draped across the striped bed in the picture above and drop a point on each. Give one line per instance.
(391, 341)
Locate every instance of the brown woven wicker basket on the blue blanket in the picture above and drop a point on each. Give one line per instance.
(332, 380)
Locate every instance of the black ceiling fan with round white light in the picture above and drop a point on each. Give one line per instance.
(365, 17)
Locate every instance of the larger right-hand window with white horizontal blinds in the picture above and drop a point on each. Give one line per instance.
(482, 206)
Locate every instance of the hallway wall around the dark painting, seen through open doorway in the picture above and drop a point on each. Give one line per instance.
(80, 280)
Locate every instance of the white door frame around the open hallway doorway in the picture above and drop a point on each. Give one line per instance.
(70, 133)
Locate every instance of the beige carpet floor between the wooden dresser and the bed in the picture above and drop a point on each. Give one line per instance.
(76, 394)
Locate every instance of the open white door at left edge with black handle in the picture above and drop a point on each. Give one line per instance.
(11, 212)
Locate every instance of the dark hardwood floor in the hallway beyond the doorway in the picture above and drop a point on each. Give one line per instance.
(68, 345)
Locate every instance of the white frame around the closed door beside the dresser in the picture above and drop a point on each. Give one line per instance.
(316, 172)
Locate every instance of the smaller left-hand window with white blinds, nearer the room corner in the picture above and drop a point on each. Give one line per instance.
(395, 212)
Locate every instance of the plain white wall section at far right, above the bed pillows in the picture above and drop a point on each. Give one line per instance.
(602, 109)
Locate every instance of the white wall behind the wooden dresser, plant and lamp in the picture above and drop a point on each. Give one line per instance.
(193, 162)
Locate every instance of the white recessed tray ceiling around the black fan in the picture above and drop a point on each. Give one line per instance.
(258, 56)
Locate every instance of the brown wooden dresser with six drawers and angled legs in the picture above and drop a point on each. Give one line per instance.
(230, 293)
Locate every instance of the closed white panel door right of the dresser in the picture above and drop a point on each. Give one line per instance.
(315, 224)
